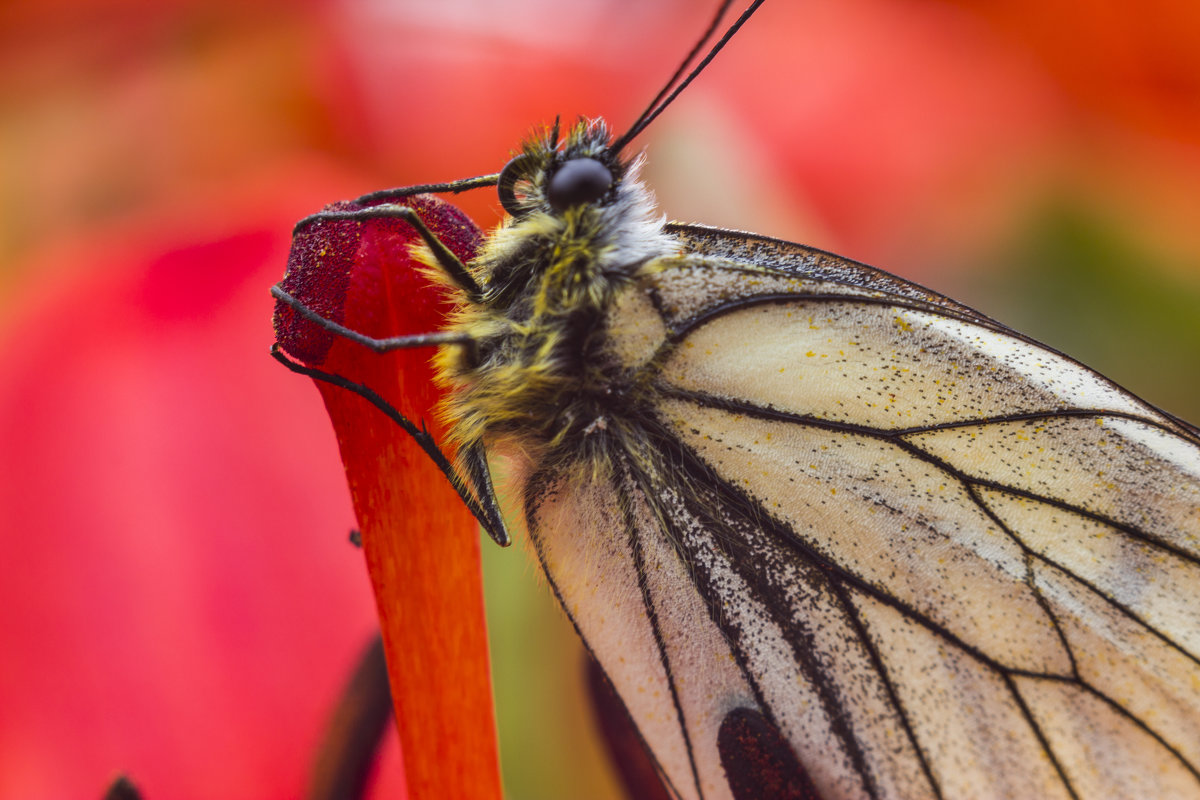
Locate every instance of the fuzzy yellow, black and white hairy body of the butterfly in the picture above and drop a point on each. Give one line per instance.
(538, 364)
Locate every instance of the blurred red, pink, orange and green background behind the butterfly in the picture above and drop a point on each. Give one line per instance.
(177, 596)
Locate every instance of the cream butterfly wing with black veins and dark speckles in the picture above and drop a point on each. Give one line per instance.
(938, 558)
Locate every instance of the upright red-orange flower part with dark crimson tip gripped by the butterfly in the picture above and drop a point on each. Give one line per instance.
(422, 544)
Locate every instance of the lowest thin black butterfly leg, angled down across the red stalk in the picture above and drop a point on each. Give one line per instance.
(478, 482)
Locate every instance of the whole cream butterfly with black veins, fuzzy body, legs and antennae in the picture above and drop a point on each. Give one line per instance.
(829, 533)
